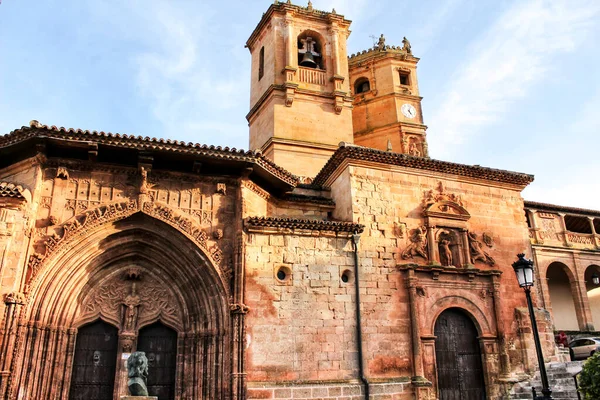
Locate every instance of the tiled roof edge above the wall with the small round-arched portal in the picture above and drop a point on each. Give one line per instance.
(348, 151)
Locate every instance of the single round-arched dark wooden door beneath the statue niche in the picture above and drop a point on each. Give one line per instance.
(458, 357)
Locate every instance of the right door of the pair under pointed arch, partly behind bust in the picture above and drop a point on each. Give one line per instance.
(160, 345)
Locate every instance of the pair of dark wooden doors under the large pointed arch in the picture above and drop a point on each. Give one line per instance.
(95, 361)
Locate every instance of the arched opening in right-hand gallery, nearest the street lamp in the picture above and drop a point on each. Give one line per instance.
(561, 297)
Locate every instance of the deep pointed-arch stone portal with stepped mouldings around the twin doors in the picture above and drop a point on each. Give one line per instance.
(137, 274)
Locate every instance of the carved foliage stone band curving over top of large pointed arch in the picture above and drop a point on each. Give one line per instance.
(66, 235)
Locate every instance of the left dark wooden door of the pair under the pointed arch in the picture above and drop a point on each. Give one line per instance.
(93, 376)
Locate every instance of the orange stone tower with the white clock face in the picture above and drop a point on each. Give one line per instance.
(387, 111)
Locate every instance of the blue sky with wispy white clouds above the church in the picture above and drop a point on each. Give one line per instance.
(506, 84)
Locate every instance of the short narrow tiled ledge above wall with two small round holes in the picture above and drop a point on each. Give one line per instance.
(293, 223)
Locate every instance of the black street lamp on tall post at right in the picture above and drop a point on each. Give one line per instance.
(524, 271)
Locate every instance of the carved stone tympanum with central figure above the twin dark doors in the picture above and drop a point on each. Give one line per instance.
(132, 301)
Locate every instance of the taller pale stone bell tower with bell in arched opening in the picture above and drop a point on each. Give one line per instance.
(300, 104)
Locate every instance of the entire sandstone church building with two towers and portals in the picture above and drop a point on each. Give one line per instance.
(334, 260)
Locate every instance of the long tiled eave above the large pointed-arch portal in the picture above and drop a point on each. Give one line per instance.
(146, 143)
